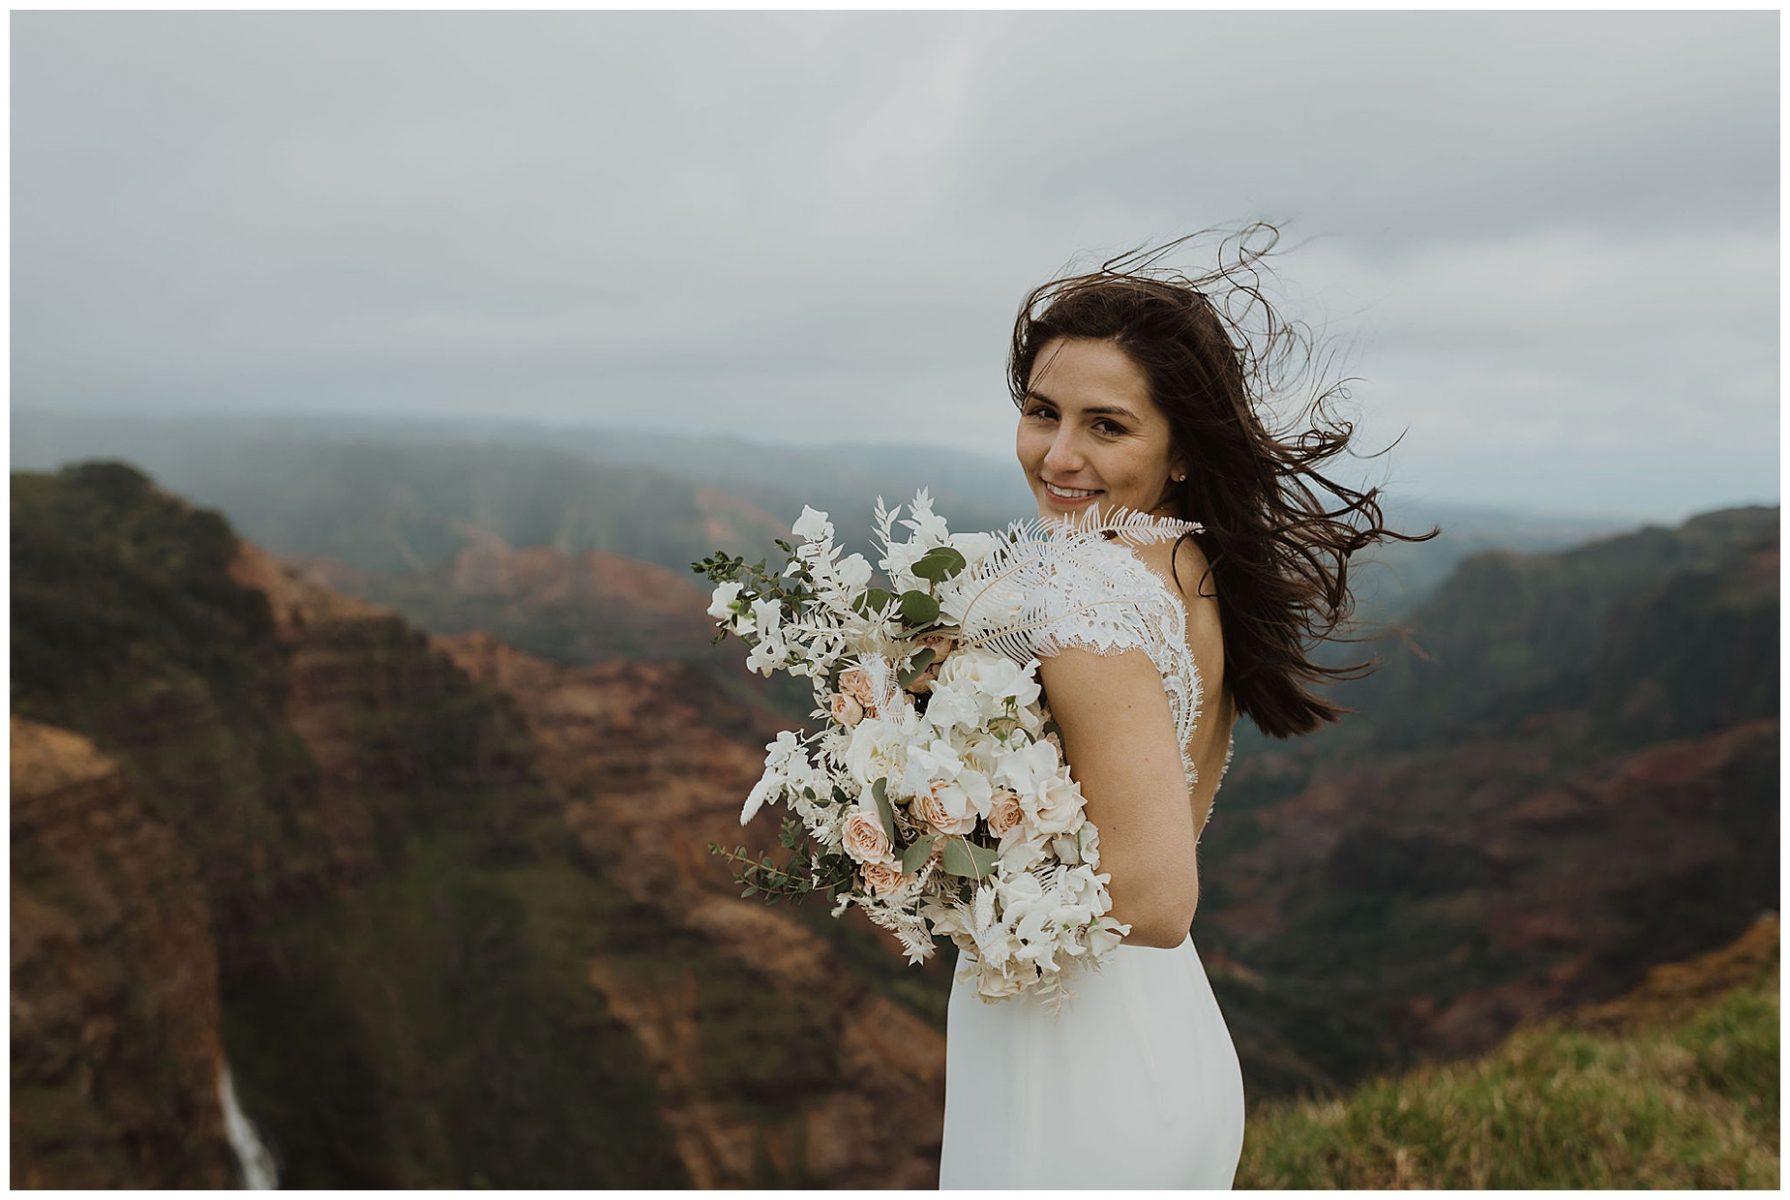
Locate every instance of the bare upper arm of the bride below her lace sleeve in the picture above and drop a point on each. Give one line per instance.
(1120, 744)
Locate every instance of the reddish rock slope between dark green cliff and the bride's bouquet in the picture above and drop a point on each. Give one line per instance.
(776, 1058)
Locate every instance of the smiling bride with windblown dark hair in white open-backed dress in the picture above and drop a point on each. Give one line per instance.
(1134, 395)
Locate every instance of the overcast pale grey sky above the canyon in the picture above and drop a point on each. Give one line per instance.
(1544, 243)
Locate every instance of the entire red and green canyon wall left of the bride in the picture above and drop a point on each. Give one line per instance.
(445, 907)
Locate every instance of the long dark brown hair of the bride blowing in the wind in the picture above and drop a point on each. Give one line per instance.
(1277, 554)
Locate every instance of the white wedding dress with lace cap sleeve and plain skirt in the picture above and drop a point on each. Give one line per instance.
(1136, 1083)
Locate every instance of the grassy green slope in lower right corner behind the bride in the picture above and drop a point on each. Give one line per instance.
(1687, 1102)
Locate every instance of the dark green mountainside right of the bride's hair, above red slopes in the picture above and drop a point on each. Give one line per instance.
(1657, 633)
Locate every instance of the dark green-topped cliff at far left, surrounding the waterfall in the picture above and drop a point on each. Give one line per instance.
(391, 929)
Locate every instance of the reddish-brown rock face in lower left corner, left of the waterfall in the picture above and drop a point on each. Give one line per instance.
(115, 984)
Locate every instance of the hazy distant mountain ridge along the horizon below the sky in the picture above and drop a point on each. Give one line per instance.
(402, 493)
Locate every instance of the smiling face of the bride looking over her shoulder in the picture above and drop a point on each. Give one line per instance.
(1089, 425)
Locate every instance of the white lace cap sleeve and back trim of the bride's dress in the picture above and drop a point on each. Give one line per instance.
(1100, 596)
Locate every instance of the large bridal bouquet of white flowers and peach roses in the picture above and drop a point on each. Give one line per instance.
(935, 794)
